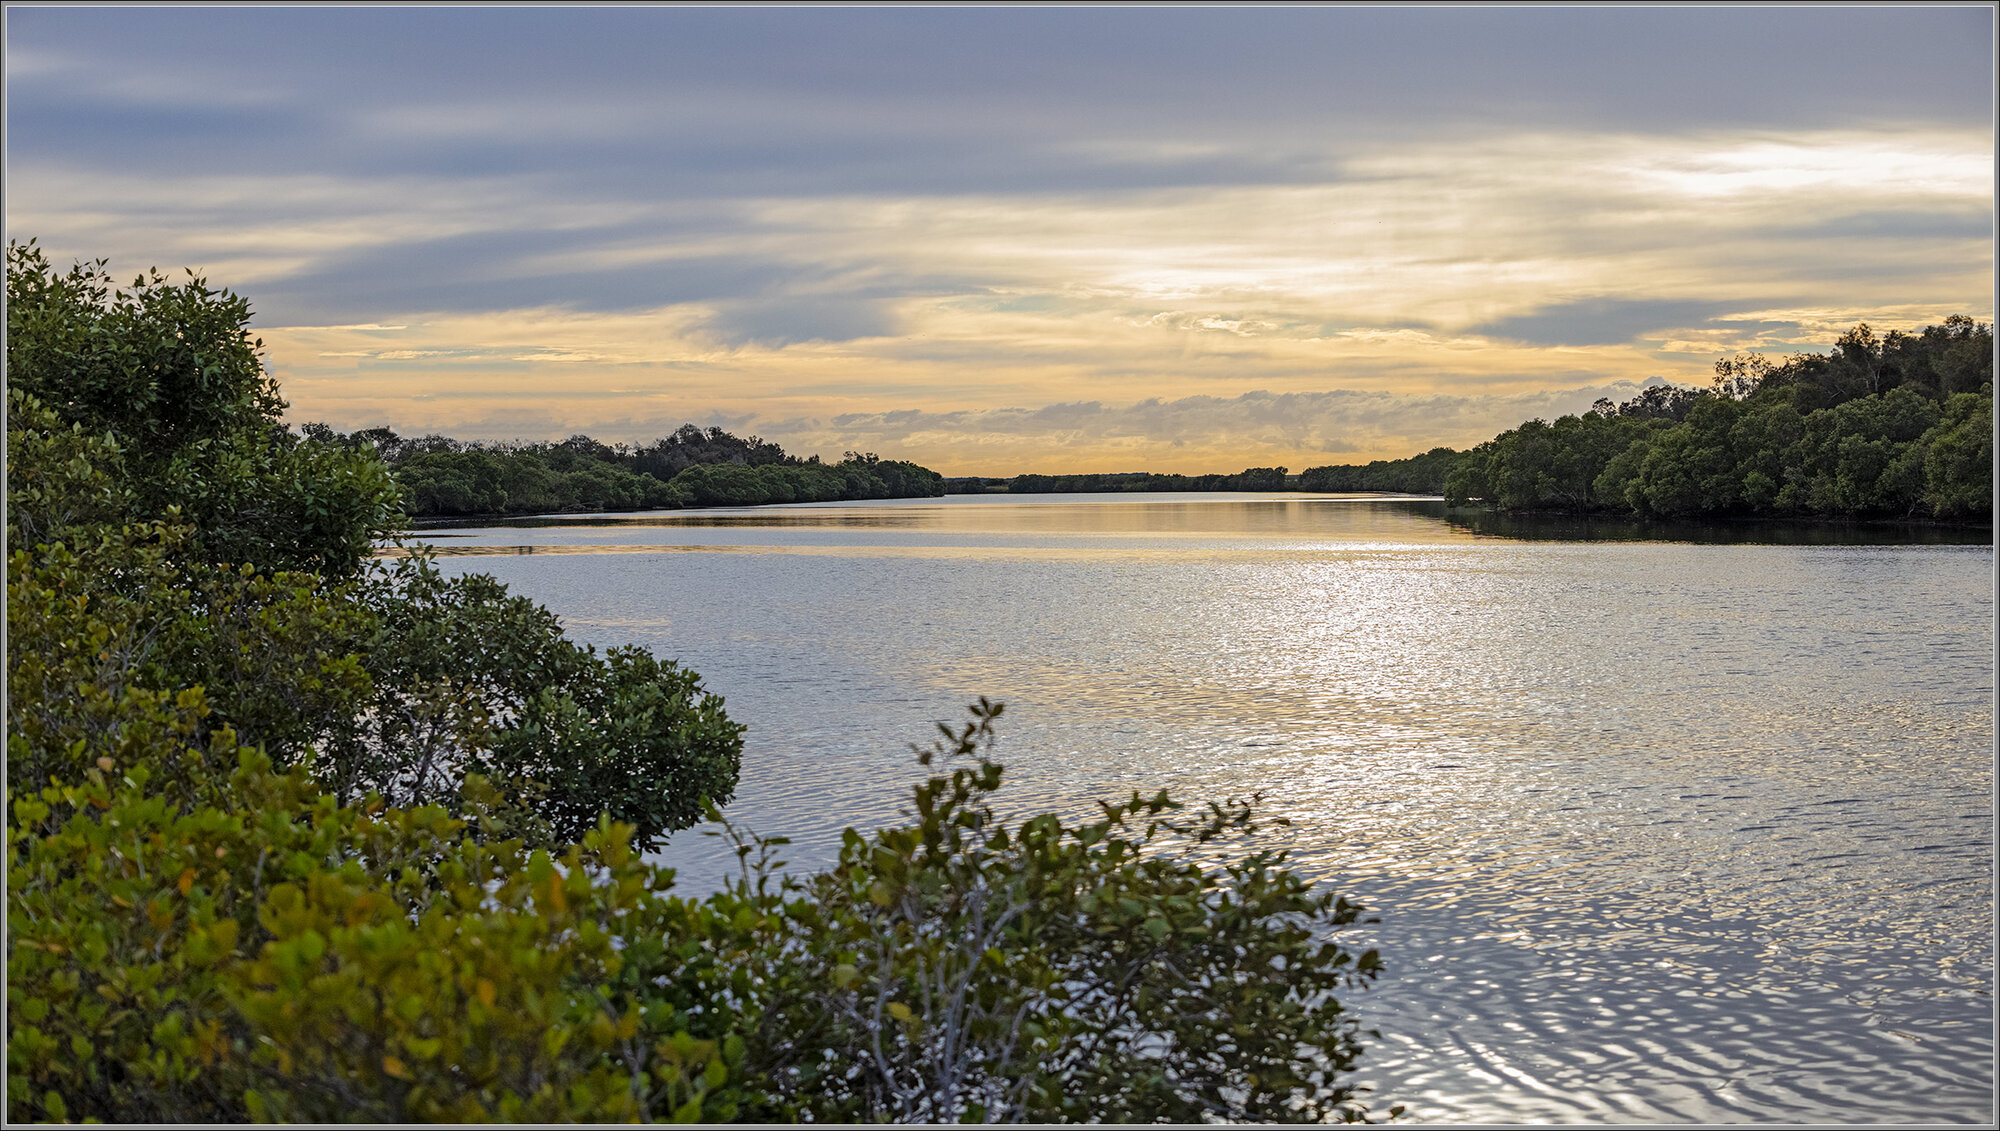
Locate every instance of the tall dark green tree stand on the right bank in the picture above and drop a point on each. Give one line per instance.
(1895, 427)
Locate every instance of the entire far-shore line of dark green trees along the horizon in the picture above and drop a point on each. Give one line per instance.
(1877, 431)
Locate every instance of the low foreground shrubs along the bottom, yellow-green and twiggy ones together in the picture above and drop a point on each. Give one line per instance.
(263, 952)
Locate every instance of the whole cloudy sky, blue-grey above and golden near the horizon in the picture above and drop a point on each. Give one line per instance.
(1005, 241)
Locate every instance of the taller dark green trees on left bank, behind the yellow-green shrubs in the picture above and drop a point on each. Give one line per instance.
(173, 537)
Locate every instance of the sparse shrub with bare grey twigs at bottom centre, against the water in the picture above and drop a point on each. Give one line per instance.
(1121, 970)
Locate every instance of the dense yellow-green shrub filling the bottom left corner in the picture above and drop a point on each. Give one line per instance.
(273, 956)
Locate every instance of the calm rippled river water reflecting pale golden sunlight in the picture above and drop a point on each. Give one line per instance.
(1657, 830)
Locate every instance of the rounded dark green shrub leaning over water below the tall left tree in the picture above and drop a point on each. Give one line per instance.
(475, 680)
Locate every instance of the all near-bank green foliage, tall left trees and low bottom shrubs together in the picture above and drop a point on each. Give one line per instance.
(297, 834)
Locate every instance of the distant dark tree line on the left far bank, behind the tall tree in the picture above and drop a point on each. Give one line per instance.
(443, 477)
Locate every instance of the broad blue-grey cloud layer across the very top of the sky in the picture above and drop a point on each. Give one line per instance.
(959, 99)
